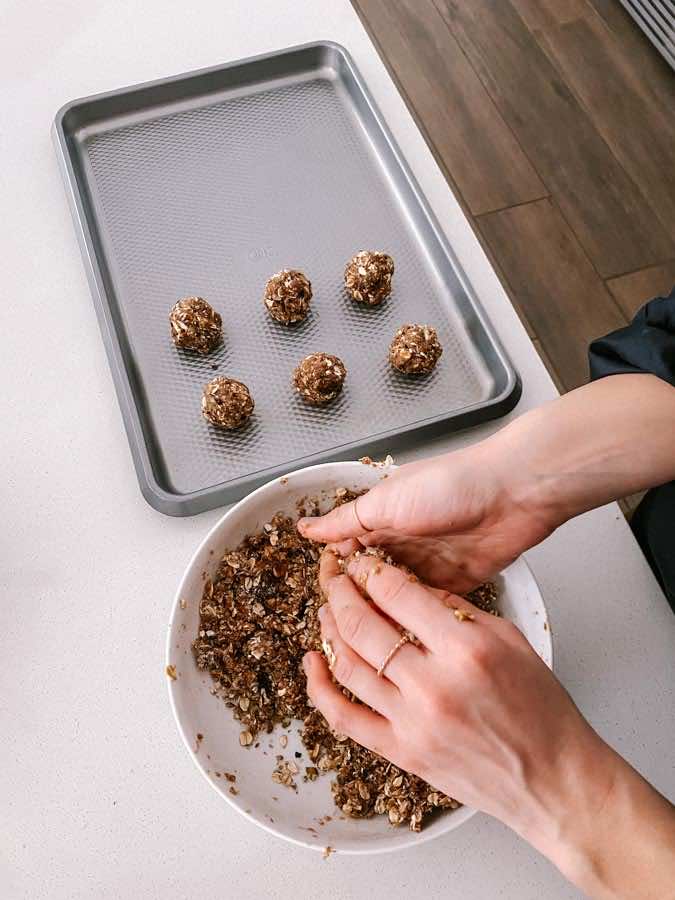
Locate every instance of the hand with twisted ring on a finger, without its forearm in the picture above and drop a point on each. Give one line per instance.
(473, 710)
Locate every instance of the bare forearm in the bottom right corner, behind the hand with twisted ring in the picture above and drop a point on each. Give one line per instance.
(615, 839)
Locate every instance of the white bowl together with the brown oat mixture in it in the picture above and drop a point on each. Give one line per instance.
(243, 616)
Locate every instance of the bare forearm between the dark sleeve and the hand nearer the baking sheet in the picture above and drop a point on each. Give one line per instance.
(603, 441)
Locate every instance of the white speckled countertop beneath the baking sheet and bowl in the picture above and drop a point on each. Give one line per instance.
(97, 795)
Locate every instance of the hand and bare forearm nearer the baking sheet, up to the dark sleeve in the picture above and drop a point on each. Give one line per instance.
(461, 517)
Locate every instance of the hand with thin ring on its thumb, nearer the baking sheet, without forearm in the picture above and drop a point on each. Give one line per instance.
(458, 518)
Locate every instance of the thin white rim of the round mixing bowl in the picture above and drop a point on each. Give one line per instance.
(458, 817)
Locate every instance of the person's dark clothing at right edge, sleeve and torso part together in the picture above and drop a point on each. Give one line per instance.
(647, 345)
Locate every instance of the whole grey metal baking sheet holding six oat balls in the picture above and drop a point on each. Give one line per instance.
(207, 184)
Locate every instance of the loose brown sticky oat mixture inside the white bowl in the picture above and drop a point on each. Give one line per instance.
(257, 620)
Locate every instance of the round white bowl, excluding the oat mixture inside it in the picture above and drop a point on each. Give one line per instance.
(296, 816)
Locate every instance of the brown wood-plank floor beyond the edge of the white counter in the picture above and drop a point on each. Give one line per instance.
(554, 122)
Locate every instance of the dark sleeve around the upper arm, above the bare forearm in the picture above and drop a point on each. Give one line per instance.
(646, 345)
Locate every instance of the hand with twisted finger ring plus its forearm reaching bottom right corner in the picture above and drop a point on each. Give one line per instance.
(477, 714)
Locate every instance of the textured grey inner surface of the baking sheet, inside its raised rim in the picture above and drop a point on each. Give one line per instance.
(214, 199)
